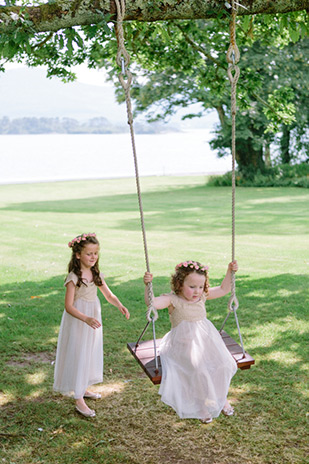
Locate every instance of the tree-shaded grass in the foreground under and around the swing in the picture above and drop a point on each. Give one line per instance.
(43, 422)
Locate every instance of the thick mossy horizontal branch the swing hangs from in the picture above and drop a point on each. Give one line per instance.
(60, 14)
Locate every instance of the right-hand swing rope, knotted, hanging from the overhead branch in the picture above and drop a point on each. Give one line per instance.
(233, 72)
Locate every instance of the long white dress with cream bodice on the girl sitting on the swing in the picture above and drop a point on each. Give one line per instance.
(196, 365)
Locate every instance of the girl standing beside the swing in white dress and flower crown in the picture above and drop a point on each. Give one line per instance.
(79, 358)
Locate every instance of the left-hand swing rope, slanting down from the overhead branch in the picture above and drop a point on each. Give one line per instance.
(123, 61)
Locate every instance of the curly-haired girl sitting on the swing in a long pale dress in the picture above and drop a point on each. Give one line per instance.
(196, 365)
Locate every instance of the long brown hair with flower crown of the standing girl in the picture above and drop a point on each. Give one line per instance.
(74, 264)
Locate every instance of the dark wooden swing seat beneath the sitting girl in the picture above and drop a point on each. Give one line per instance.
(144, 355)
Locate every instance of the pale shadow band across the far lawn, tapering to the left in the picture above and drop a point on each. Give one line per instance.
(197, 208)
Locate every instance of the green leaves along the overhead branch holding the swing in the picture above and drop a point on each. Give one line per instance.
(60, 45)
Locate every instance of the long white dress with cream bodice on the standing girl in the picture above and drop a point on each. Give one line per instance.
(79, 358)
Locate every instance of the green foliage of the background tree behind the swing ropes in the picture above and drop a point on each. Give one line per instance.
(180, 63)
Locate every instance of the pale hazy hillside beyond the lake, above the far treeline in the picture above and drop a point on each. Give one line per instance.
(26, 92)
